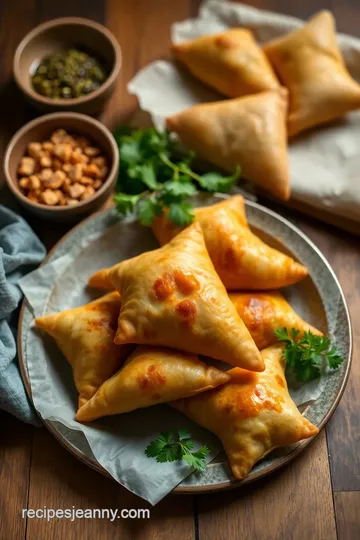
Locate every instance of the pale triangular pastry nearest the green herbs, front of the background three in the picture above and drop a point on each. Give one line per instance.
(248, 131)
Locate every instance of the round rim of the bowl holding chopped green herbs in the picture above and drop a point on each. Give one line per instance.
(63, 21)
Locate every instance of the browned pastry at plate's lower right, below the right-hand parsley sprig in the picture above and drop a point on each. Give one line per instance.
(251, 414)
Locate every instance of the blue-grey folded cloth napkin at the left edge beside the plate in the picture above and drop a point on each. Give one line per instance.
(20, 252)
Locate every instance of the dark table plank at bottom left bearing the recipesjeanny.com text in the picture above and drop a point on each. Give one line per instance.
(58, 480)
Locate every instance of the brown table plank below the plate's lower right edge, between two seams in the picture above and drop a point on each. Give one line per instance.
(295, 504)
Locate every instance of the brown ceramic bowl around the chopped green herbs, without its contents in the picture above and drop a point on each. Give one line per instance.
(60, 34)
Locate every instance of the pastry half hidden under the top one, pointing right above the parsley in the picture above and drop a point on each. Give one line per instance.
(265, 312)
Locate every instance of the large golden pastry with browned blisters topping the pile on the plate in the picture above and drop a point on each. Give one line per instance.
(173, 297)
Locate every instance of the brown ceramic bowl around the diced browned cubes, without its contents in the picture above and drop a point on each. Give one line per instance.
(39, 130)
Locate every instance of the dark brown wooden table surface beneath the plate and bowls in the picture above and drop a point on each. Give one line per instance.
(317, 497)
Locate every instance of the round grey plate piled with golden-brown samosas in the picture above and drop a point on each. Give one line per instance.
(191, 325)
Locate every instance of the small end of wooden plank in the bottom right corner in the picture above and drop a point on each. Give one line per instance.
(347, 507)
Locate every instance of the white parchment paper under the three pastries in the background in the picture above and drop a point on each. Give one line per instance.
(324, 163)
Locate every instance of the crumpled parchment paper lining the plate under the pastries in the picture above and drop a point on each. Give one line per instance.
(117, 442)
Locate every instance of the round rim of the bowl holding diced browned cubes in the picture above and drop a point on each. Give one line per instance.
(43, 119)
